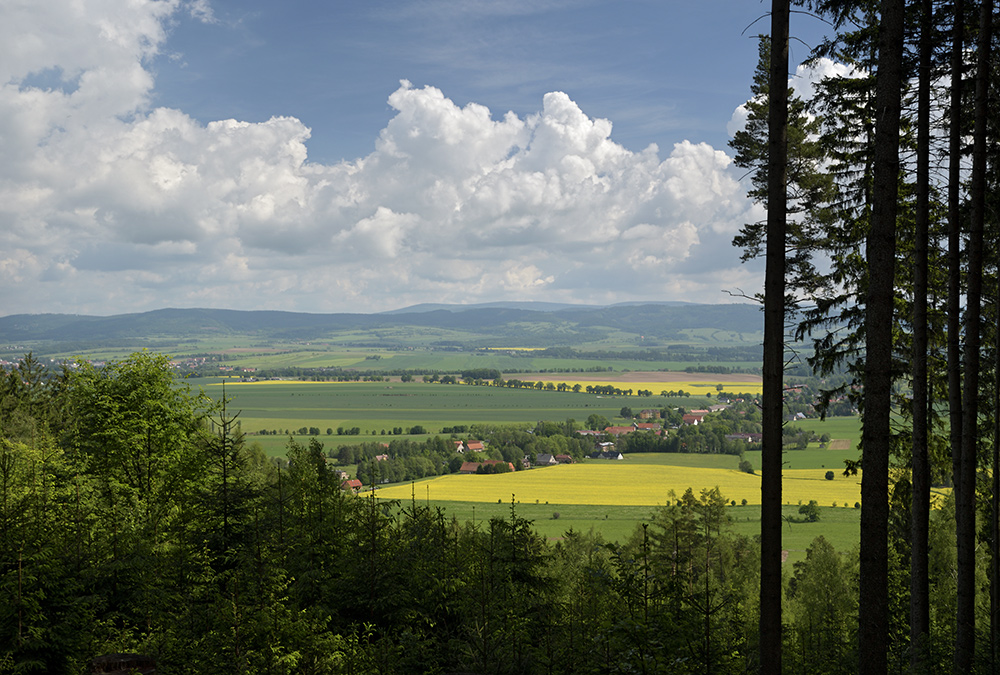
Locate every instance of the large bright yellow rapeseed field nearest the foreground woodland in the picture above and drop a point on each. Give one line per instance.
(611, 483)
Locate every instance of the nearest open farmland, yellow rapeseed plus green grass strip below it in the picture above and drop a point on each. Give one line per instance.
(614, 505)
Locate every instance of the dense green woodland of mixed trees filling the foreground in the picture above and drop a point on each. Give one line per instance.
(135, 518)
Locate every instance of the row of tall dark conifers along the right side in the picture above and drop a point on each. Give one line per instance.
(893, 260)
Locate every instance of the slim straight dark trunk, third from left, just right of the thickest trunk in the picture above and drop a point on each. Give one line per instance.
(920, 507)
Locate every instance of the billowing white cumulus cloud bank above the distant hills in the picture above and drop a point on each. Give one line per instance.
(109, 204)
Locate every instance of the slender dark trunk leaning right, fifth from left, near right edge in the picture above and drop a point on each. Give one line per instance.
(965, 483)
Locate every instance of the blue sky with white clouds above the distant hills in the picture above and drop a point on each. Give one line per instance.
(367, 156)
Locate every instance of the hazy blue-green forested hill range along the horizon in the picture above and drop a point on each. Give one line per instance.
(572, 324)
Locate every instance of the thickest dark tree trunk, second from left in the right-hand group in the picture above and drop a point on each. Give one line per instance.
(873, 632)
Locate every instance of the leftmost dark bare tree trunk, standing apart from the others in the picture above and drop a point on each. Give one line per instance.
(774, 340)
